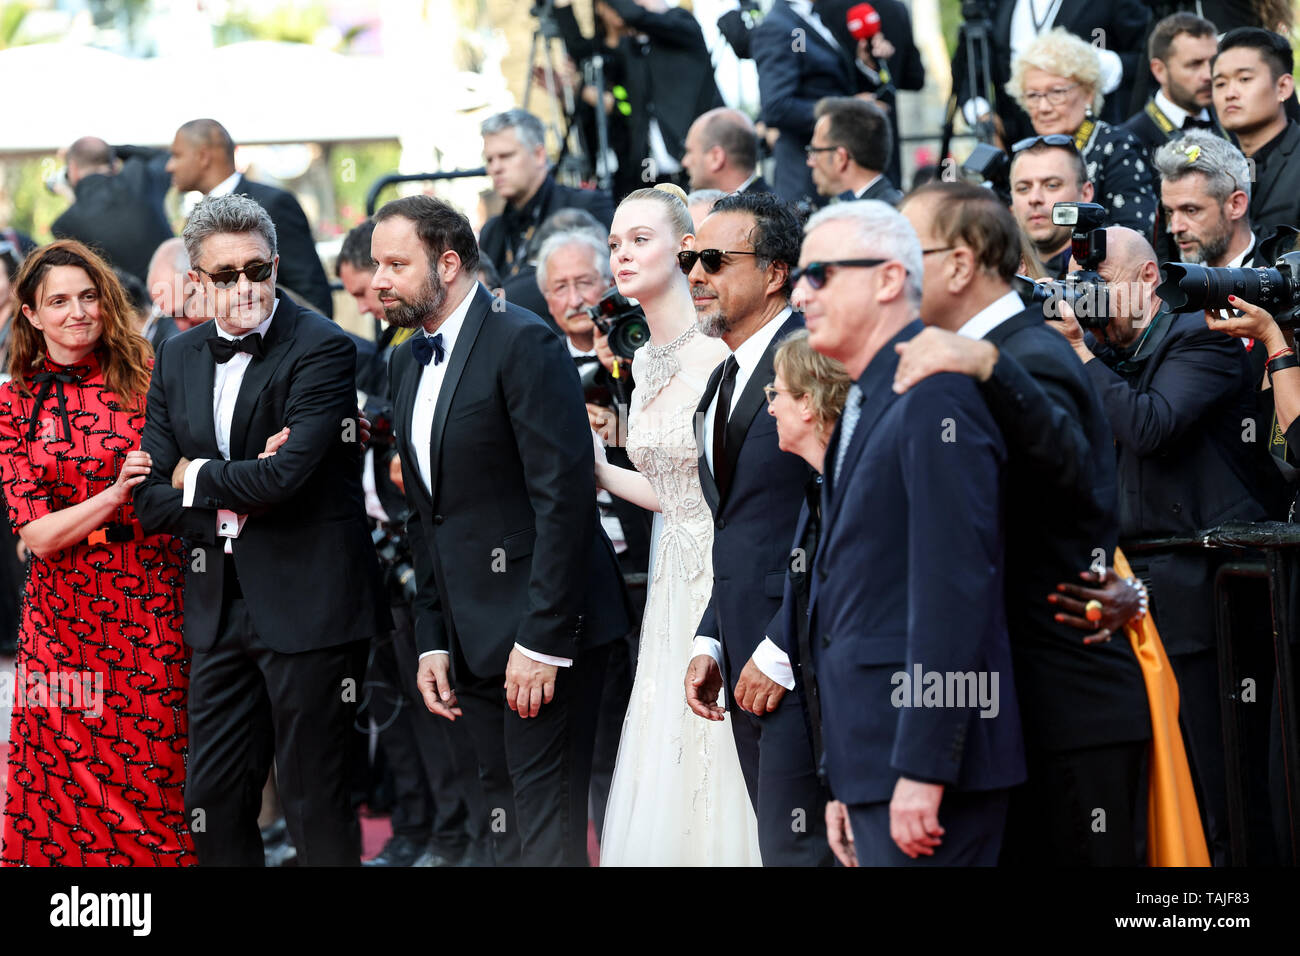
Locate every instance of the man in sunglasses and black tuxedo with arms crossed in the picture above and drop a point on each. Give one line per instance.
(252, 425)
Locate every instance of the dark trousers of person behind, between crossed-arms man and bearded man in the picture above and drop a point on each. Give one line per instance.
(435, 771)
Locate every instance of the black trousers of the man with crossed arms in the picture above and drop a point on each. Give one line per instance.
(250, 706)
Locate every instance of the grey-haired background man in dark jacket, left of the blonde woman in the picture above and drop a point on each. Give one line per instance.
(517, 161)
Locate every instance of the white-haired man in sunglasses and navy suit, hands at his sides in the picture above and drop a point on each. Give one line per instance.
(908, 628)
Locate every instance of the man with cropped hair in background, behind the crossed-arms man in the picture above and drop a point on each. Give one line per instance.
(203, 161)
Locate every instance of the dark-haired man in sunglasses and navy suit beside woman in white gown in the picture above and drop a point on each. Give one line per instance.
(755, 492)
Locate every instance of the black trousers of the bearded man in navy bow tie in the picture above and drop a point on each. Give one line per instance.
(536, 771)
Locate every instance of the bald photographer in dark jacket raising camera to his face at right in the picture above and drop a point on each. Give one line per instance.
(1181, 403)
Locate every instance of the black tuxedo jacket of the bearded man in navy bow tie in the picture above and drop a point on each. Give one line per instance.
(508, 546)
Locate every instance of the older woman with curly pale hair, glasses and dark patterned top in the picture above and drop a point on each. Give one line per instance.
(1058, 81)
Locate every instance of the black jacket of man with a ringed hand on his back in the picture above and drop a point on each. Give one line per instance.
(1063, 488)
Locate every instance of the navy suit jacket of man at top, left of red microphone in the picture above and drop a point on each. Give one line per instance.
(796, 68)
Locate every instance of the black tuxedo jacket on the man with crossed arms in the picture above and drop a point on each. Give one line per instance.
(306, 564)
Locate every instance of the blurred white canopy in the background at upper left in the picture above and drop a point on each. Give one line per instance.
(263, 93)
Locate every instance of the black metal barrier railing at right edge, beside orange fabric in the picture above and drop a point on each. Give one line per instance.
(1279, 543)
